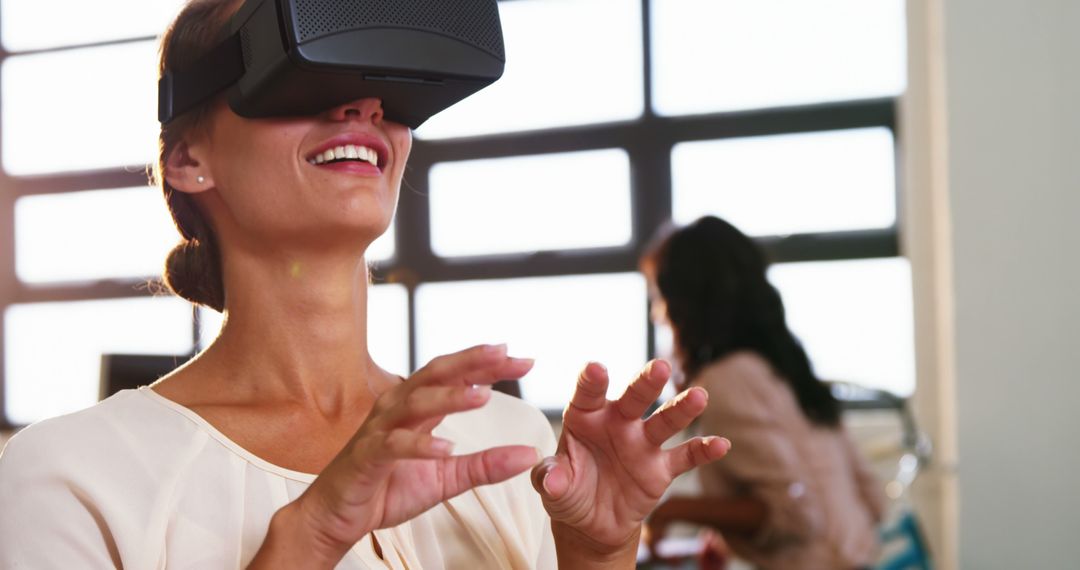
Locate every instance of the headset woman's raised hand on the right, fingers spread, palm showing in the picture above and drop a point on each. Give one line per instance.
(611, 471)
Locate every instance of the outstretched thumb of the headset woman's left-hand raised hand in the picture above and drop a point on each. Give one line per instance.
(493, 466)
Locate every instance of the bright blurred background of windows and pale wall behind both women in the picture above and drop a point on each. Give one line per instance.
(908, 167)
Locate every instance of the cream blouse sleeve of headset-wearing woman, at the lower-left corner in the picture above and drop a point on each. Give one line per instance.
(47, 522)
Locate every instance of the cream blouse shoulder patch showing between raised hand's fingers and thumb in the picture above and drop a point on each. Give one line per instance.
(505, 420)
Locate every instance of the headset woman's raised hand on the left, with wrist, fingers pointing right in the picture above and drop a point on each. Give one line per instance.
(395, 469)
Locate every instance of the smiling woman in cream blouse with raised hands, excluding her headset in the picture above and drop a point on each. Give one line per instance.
(283, 445)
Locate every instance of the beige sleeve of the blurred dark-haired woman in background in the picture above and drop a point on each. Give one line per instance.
(765, 462)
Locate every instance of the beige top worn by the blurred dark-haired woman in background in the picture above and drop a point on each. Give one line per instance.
(822, 499)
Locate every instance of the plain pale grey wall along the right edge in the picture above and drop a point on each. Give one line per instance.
(1012, 121)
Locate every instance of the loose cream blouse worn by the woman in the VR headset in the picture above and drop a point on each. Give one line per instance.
(140, 482)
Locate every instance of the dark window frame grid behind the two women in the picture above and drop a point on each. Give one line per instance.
(647, 141)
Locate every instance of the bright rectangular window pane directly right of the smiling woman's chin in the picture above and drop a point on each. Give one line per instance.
(563, 201)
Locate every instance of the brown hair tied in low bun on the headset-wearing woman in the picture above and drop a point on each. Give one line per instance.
(194, 268)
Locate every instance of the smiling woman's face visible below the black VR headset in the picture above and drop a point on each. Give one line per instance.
(323, 181)
